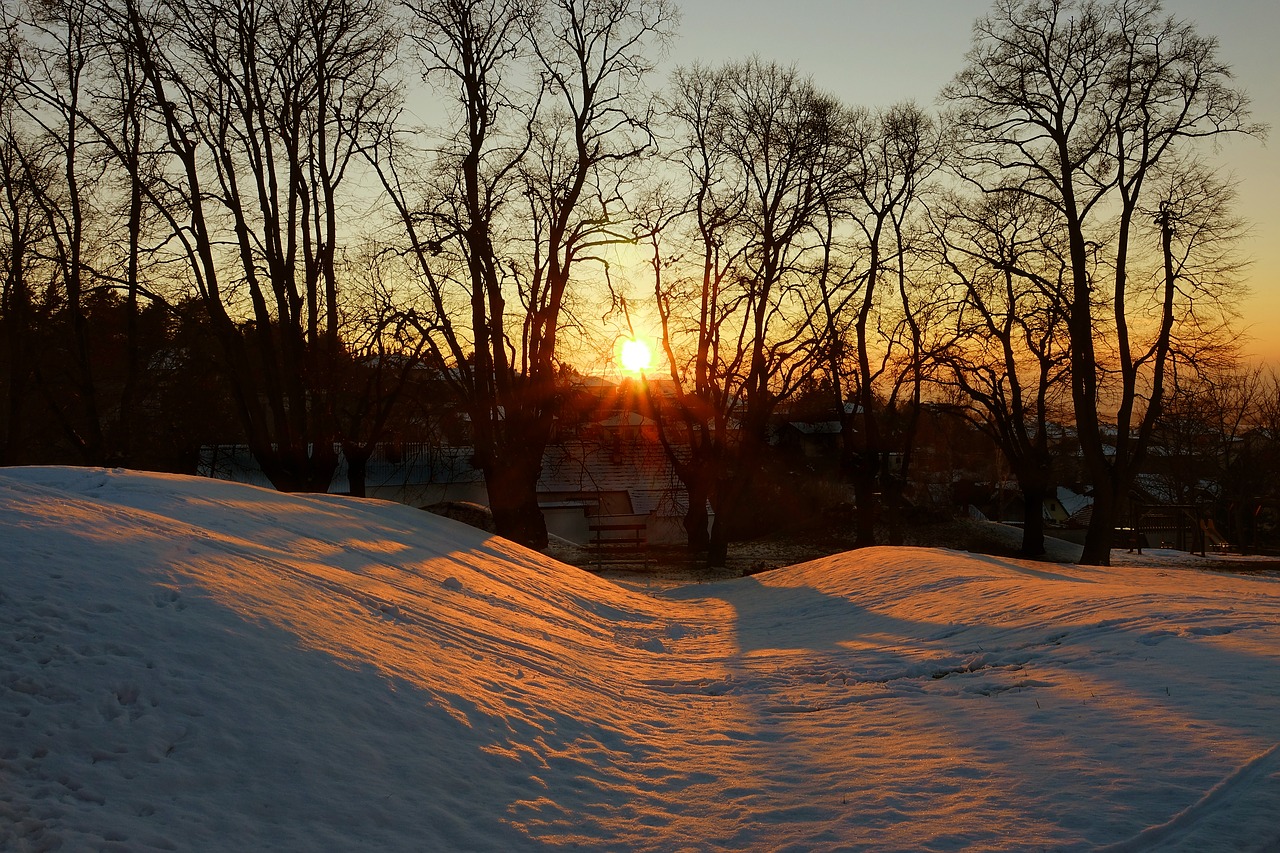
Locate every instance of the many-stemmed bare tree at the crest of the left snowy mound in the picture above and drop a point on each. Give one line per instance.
(262, 107)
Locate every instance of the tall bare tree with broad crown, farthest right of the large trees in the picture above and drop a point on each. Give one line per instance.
(1085, 106)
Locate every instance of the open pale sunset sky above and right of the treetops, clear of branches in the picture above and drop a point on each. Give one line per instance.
(875, 54)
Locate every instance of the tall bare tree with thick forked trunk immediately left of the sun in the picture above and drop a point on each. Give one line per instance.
(529, 189)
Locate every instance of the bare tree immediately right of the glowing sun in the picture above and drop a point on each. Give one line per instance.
(762, 149)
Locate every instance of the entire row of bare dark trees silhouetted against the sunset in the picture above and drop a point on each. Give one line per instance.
(296, 207)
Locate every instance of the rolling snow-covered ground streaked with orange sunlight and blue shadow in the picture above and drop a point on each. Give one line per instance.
(200, 665)
